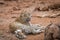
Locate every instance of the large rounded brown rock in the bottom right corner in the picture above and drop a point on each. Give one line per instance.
(52, 32)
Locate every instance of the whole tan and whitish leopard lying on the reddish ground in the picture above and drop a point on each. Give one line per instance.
(22, 26)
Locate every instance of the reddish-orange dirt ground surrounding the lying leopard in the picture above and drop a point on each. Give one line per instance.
(10, 10)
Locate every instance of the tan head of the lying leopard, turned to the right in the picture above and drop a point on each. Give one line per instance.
(25, 17)
